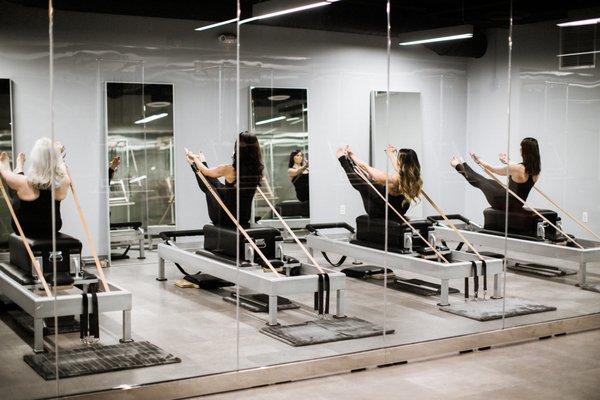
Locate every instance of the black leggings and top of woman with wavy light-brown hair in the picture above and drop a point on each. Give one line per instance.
(373, 203)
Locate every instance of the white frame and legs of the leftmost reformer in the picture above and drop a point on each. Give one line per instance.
(39, 306)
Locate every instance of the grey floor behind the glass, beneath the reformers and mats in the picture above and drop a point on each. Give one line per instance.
(201, 328)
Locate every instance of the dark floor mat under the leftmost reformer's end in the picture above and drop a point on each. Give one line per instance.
(95, 359)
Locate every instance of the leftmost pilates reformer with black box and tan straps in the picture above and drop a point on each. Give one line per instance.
(25, 278)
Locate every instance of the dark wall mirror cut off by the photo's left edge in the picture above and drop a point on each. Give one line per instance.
(6, 145)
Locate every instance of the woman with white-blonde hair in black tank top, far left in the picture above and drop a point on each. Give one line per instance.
(33, 191)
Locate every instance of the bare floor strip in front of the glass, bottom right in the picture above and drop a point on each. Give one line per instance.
(556, 369)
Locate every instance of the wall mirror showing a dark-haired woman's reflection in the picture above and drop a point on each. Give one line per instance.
(279, 118)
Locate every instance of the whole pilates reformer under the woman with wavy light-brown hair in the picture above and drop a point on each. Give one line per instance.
(411, 247)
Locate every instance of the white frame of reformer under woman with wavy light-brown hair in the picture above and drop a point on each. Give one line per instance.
(398, 263)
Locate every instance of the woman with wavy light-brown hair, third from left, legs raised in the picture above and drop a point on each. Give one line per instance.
(402, 187)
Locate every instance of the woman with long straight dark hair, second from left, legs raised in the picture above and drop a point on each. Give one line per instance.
(250, 171)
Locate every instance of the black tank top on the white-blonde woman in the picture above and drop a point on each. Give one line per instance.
(35, 216)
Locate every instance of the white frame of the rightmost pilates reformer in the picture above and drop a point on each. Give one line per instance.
(539, 252)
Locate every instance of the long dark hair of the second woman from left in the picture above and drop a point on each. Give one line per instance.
(251, 166)
